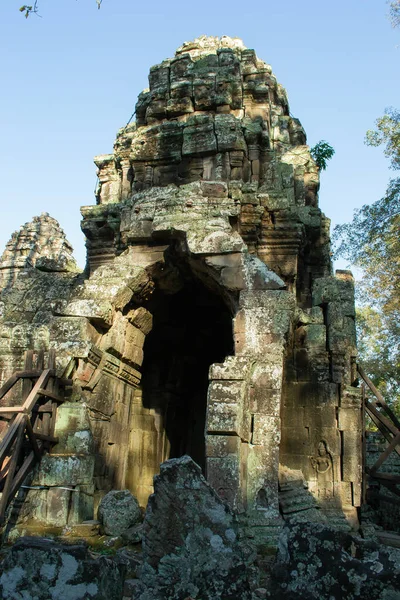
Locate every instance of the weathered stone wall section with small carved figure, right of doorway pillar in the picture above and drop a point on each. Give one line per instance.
(321, 413)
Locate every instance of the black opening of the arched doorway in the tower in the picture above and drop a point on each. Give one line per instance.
(192, 329)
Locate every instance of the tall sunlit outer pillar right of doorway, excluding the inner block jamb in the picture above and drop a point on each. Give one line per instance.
(261, 328)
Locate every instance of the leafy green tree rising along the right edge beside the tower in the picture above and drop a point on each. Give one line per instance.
(372, 242)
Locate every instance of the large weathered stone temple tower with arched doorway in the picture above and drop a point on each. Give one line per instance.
(208, 321)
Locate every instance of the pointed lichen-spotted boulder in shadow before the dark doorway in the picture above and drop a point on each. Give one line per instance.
(190, 543)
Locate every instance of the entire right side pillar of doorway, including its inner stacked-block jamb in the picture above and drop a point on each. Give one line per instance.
(243, 419)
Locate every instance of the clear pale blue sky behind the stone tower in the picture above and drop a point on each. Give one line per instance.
(70, 80)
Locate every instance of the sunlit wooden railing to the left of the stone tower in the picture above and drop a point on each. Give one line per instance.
(30, 430)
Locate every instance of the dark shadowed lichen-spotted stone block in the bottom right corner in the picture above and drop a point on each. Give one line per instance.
(318, 562)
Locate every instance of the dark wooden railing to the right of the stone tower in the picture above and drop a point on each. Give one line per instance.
(389, 425)
